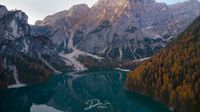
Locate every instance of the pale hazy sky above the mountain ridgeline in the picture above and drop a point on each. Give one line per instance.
(38, 9)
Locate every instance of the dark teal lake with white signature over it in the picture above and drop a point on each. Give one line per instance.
(88, 91)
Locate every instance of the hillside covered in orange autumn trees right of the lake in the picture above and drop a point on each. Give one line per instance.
(172, 75)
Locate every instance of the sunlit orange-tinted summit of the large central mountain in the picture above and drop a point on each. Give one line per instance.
(111, 10)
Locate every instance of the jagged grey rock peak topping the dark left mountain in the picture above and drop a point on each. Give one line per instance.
(13, 25)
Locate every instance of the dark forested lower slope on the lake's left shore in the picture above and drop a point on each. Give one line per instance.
(29, 70)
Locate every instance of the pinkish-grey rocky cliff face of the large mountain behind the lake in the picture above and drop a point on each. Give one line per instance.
(125, 29)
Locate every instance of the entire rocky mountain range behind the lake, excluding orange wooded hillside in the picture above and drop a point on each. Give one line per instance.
(112, 33)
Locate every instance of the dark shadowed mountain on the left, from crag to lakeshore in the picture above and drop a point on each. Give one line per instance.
(22, 55)
